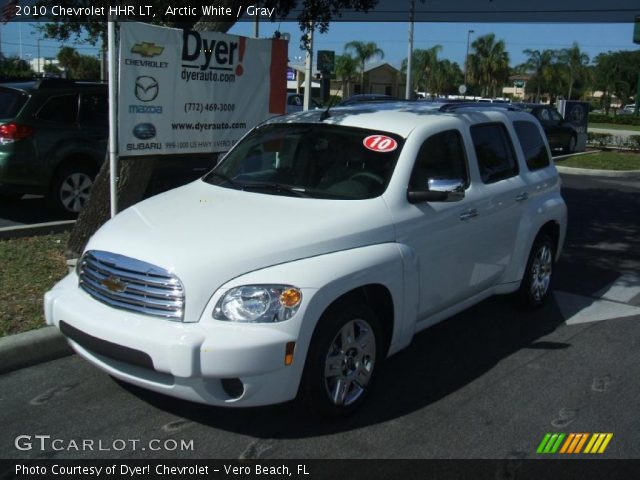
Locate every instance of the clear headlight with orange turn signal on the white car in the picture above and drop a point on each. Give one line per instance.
(258, 303)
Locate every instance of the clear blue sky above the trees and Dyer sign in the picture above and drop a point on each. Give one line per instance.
(390, 37)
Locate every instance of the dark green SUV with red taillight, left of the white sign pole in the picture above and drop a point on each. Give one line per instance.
(53, 138)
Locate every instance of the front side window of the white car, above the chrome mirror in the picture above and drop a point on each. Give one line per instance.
(442, 156)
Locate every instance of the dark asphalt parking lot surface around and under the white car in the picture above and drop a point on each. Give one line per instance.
(487, 383)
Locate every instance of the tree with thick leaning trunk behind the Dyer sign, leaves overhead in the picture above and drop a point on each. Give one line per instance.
(134, 174)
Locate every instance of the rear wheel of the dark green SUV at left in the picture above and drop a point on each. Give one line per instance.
(71, 187)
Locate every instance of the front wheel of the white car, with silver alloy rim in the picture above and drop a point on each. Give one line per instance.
(336, 380)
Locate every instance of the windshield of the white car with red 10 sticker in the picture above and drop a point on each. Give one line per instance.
(318, 161)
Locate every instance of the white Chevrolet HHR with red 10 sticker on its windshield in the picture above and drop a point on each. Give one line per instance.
(317, 248)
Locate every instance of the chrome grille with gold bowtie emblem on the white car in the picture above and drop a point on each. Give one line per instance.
(130, 284)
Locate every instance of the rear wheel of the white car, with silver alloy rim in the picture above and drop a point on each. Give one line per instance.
(537, 282)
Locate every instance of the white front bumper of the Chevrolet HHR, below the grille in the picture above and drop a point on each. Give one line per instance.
(185, 360)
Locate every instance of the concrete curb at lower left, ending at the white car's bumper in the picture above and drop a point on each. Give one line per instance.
(33, 347)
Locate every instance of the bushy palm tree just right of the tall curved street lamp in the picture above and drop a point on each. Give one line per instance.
(489, 63)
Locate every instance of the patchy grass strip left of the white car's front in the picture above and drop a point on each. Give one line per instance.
(30, 267)
